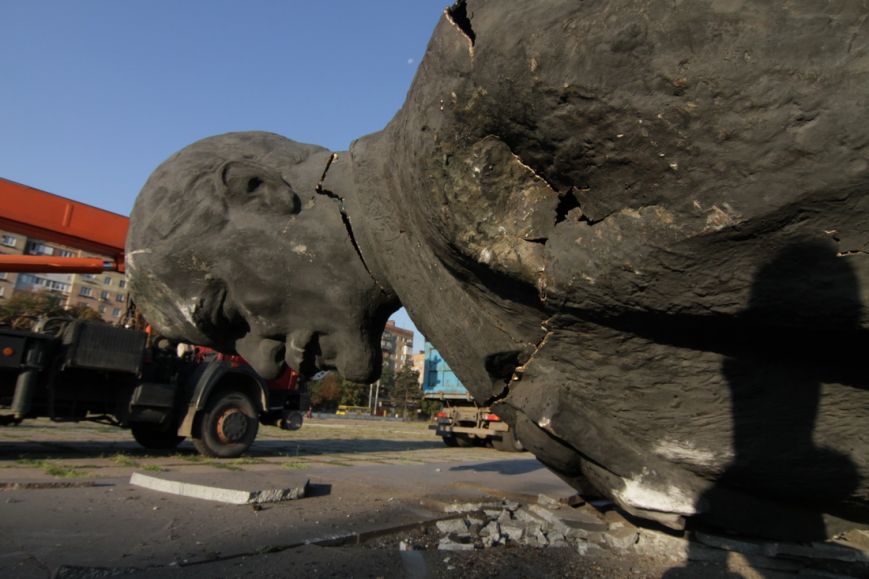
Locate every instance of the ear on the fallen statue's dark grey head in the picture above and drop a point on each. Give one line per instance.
(249, 183)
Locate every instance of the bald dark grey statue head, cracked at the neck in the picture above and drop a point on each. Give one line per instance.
(233, 245)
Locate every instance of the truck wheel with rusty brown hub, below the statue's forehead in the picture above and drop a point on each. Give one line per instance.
(228, 425)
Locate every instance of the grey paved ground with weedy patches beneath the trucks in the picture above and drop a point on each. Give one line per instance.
(68, 509)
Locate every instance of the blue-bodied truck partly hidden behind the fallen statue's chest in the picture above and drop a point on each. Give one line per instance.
(461, 421)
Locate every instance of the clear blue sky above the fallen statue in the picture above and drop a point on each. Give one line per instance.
(94, 94)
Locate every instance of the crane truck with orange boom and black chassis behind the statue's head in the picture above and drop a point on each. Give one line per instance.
(70, 370)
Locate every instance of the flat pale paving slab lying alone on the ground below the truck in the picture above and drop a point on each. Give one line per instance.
(233, 488)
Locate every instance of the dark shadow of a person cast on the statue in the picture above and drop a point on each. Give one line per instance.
(799, 338)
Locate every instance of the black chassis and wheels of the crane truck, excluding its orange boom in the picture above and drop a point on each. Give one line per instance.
(71, 370)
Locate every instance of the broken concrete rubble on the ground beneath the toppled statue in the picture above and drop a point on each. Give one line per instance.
(599, 530)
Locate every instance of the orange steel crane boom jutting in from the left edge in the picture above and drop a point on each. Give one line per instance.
(56, 219)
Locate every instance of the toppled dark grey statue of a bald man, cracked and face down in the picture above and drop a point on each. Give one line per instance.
(638, 230)
